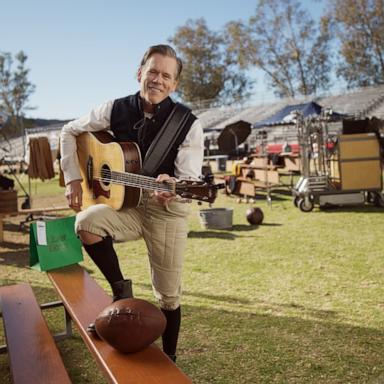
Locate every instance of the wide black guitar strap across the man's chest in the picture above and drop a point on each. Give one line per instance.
(164, 140)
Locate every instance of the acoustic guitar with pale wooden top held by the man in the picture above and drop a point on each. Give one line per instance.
(110, 174)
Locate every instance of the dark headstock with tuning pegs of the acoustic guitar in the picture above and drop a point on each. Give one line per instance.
(197, 190)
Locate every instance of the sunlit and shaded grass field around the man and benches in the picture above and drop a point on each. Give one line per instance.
(299, 299)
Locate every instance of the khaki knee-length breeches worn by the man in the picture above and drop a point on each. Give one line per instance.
(164, 230)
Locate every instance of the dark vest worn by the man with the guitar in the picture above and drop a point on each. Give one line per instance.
(128, 124)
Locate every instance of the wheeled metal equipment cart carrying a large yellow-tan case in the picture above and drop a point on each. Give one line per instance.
(318, 184)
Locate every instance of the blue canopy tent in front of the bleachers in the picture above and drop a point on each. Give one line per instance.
(285, 116)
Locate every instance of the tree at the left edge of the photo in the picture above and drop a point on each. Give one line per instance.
(15, 89)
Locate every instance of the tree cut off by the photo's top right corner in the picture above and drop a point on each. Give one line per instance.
(359, 27)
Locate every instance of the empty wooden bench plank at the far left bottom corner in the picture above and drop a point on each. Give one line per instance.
(33, 354)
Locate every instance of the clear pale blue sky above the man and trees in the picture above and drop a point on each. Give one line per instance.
(82, 53)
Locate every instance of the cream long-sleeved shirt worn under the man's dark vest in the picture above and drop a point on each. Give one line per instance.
(188, 161)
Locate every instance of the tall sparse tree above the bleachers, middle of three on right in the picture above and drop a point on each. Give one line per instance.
(284, 41)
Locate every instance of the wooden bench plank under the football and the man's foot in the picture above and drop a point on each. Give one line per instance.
(84, 299)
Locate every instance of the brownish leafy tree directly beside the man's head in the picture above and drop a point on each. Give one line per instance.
(211, 72)
